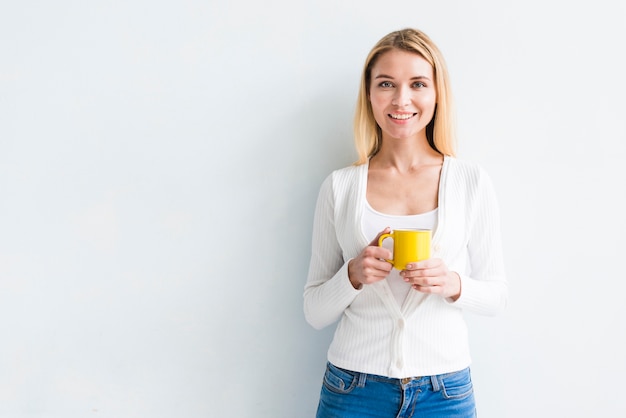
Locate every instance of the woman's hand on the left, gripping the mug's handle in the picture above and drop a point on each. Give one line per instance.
(370, 266)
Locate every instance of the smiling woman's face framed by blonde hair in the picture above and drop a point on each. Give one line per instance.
(402, 94)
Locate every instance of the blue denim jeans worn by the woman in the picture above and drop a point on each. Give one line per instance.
(348, 394)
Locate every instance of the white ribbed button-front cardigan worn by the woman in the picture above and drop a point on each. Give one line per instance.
(427, 335)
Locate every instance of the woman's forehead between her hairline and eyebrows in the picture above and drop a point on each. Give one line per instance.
(399, 63)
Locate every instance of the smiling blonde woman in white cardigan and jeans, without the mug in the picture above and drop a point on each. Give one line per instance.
(400, 348)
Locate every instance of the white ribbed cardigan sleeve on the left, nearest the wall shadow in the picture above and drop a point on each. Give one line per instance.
(328, 291)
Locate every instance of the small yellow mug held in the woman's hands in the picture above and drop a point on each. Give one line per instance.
(409, 245)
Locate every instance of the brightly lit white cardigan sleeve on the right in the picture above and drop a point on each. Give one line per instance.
(484, 290)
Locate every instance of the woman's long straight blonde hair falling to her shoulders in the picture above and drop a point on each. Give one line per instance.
(440, 132)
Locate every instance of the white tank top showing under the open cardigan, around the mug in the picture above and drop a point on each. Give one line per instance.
(374, 222)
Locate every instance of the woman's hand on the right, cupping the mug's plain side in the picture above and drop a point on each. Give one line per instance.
(433, 276)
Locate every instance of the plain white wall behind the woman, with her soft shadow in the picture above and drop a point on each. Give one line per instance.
(159, 164)
